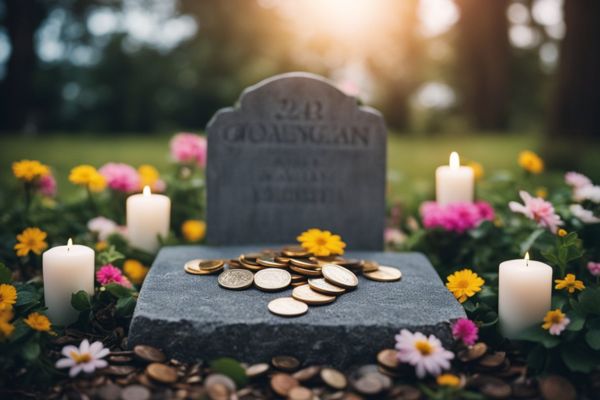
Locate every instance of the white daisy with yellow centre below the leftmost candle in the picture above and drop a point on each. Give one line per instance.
(86, 358)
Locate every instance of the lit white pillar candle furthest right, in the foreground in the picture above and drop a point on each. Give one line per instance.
(524, 294)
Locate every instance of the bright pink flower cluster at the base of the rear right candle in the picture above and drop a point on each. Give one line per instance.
(455, 217)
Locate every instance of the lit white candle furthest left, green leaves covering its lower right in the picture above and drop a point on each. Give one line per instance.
(66, 270)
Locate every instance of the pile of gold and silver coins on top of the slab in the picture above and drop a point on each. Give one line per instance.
(315, 280)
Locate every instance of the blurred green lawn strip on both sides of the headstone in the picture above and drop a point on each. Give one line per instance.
(411, 160)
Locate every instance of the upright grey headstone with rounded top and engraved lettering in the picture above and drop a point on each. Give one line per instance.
(296, 153)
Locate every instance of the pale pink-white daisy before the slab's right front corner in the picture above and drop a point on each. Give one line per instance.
(426, 354)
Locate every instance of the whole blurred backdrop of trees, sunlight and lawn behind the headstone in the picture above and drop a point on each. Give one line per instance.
(99, 80)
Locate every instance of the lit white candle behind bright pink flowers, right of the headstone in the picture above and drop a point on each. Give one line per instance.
(453, 183)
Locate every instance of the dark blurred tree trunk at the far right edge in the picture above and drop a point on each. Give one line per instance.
(575, 111)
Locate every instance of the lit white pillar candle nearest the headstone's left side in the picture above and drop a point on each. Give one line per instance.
(148, 216)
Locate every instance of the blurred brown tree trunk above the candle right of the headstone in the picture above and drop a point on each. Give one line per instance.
(484, 53)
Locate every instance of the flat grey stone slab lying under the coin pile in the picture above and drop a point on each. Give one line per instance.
(191, 317)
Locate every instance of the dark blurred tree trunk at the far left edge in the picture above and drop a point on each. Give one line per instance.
(22, 19)
